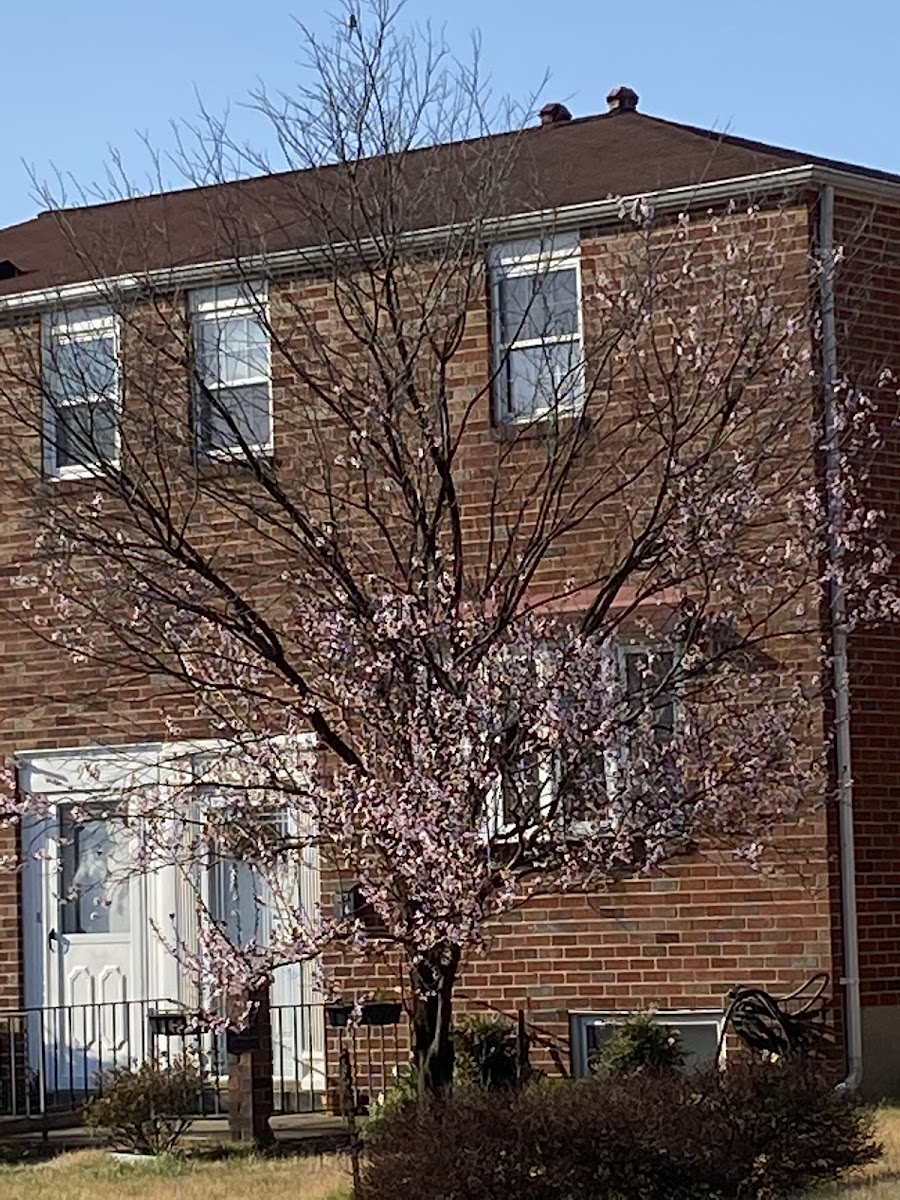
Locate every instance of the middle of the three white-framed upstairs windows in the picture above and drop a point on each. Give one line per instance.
(233, 385)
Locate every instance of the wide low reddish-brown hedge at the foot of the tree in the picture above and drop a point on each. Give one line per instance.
(755, 1132)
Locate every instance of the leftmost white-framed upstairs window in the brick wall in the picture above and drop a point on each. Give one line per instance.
(82, 392)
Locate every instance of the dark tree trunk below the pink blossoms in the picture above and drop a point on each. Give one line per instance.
(433, 983)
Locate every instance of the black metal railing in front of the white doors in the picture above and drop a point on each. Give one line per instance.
(55, 1060)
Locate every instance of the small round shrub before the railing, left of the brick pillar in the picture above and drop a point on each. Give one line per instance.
(147, 1109)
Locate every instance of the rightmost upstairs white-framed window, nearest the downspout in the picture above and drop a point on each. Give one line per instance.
(539, 368)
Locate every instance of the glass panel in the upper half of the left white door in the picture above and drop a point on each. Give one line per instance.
(95, 890)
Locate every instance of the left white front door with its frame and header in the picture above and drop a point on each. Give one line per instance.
(88, 944)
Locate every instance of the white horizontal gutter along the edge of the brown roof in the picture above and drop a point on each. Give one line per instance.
(575, 217)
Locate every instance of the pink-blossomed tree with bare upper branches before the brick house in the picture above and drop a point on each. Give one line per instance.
(461, 664)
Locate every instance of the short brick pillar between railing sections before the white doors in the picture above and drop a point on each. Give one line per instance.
(251, 1096)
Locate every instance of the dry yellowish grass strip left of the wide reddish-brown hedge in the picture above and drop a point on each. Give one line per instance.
(94, 1175)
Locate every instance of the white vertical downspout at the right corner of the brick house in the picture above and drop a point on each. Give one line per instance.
(853, 1010)
